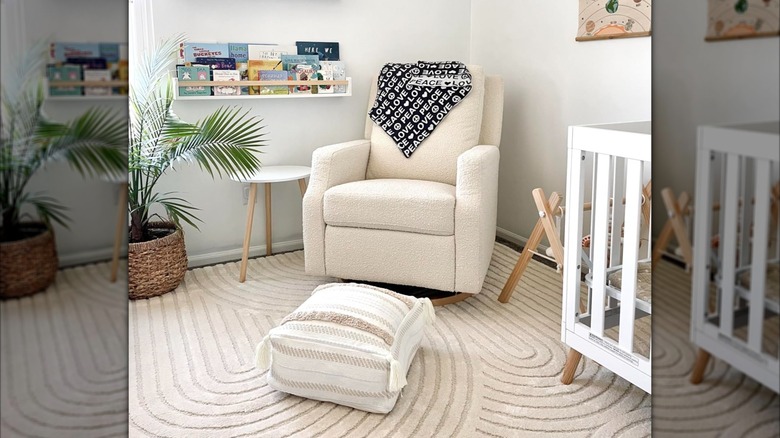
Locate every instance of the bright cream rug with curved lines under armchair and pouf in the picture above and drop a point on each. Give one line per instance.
(485, 369)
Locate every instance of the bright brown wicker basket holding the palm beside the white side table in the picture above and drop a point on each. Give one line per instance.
(156, 267)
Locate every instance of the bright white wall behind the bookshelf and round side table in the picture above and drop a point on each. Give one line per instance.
(370, 34)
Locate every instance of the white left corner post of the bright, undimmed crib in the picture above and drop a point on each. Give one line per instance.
(572, 236)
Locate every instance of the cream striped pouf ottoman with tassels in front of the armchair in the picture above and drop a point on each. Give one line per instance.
(349, 344)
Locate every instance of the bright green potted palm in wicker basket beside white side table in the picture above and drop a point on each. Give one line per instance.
(225, 142)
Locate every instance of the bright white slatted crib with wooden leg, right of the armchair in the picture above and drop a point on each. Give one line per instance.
(616, 284)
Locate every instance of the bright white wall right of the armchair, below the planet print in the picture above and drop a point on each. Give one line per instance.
(551, 82)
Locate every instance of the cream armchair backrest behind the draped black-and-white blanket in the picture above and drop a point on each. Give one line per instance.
(475, 120)
